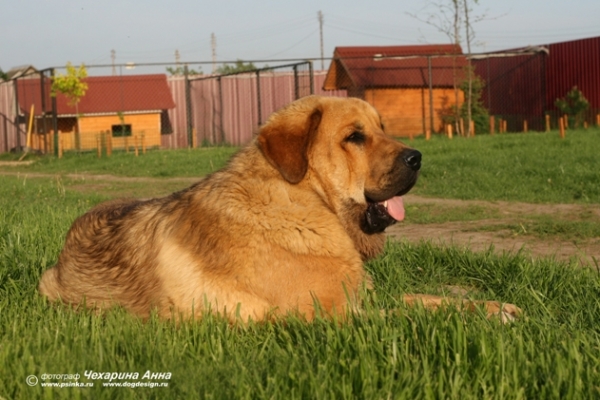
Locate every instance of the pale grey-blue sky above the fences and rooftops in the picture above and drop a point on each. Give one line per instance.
(50, 33)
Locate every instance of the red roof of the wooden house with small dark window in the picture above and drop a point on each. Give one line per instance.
(105, 95)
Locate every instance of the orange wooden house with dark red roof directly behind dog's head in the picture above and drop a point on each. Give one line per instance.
(412, 87)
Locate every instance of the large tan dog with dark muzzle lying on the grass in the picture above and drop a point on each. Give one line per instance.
(284, 227)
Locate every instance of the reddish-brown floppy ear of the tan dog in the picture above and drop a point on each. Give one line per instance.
(285, 140)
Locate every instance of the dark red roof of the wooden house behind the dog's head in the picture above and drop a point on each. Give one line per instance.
(394, 66)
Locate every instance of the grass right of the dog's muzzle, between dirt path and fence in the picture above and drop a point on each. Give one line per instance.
(532, 167)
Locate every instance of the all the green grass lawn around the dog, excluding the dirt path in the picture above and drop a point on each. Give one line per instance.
(553, 352)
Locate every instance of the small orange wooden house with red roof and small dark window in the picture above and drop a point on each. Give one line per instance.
(125, 107)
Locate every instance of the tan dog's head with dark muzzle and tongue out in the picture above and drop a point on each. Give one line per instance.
(340, 146)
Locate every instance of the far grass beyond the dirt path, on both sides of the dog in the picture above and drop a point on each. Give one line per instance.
(532, 167)
